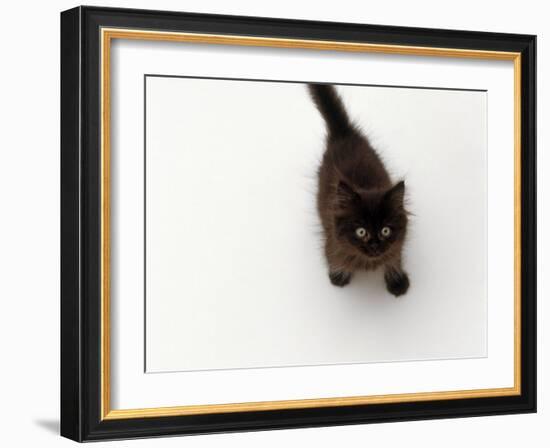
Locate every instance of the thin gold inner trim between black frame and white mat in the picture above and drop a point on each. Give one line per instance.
(107, 35)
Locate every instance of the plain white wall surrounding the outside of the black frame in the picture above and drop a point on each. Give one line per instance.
(29, 183)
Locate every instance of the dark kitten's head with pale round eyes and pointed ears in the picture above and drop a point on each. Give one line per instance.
(373, 222)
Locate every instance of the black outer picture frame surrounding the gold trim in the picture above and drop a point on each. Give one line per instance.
(81, 415)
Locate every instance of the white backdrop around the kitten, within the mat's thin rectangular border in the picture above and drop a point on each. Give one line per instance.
(234, 251)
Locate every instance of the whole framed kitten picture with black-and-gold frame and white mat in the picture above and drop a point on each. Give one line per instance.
(273, 223)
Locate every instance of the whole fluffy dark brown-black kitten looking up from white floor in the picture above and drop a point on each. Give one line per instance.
(362, 212)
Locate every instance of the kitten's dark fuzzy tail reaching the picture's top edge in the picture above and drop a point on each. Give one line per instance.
(332, 109)
